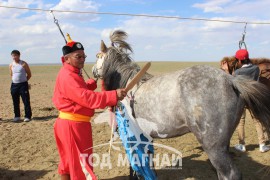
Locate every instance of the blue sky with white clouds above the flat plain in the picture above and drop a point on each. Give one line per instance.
(36, 36)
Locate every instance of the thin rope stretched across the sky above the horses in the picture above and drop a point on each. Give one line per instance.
(136, 15)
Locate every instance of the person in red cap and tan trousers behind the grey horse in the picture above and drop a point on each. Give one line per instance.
(250, 71)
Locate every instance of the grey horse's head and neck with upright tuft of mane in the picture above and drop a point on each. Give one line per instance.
(113, 63)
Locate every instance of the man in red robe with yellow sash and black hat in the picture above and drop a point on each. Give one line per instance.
(76, 102)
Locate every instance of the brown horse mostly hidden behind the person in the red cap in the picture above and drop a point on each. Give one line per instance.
(230, 64)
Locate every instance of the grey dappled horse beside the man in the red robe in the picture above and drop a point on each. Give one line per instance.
(201, 99)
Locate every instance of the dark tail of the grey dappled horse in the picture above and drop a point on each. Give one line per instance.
(257, 98)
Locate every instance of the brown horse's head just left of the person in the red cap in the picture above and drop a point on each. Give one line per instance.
(229, 64)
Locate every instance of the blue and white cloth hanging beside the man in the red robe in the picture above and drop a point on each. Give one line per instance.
(138, 146)
